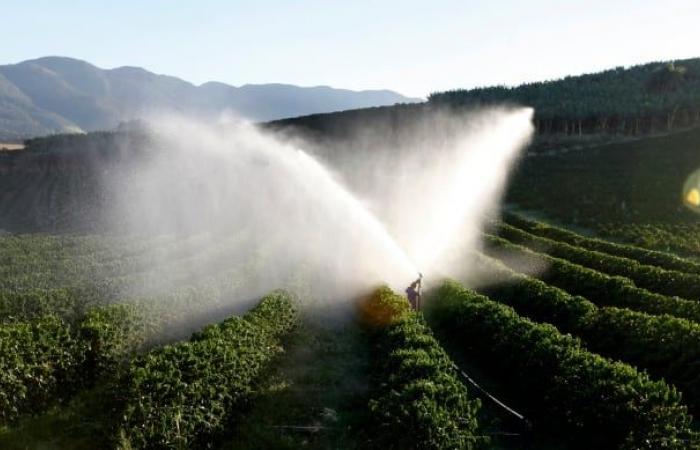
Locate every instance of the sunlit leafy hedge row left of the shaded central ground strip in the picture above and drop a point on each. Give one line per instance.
(184, 395)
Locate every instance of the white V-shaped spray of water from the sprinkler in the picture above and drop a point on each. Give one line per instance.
(372, 213)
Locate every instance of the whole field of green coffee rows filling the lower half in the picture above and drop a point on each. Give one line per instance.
(101, 349)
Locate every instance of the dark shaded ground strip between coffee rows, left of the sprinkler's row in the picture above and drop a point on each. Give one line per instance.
(316, 396)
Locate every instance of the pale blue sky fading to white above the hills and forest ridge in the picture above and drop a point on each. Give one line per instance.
(414, 47)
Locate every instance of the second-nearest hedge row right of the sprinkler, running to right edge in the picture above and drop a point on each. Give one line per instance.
(666, 346)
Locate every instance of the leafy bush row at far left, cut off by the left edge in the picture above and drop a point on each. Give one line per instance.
(46, 360)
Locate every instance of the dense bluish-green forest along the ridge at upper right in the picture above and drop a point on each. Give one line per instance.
(649, 98)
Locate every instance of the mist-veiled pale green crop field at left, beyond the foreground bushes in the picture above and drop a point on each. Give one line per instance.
(168, 279)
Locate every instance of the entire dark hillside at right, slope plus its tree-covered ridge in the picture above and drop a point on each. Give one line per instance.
(612, 153)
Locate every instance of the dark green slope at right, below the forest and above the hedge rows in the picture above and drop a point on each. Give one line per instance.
(631, 189)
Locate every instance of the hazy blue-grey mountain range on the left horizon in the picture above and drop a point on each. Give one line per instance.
(57, 94)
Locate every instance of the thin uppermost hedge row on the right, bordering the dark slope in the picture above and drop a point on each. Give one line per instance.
(641, 255)
